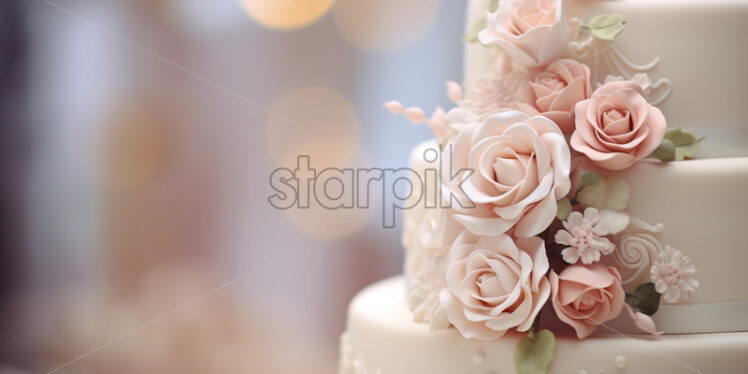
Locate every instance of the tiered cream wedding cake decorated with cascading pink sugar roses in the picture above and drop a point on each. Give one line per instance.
(590, 213)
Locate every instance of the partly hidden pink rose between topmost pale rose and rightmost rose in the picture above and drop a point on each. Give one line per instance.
(557, 90)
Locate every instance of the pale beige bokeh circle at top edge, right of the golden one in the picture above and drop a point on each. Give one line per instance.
(385, 25)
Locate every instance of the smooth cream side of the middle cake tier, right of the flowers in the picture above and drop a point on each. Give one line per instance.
(703, 205)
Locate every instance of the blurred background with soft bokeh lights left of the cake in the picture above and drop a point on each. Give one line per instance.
(137, 140)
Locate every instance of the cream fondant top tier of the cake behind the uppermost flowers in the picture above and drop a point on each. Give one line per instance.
(701, 49)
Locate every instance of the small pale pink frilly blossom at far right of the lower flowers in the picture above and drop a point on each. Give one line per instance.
(672, 274)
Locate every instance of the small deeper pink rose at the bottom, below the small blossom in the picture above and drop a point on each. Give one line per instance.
(585, 296)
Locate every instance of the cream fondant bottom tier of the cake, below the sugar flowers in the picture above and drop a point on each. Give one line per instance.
(381, 338)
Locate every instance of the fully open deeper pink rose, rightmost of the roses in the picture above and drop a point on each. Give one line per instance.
(617, 126)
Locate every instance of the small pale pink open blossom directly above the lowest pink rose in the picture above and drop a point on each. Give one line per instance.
(583, 236)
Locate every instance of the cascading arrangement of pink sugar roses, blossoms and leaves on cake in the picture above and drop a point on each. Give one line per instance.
(539, 221)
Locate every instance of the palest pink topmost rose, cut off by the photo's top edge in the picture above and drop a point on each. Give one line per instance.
(532, 32)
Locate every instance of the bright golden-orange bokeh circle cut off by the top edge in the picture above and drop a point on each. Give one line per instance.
(287, 14)
